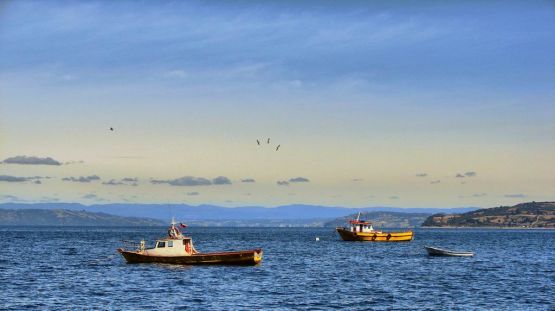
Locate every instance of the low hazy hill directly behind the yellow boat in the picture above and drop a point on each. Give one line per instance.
(384, 219)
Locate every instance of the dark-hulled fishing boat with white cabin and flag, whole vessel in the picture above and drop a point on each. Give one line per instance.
(178, 249)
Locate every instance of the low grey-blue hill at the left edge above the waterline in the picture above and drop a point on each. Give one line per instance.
(62, 217)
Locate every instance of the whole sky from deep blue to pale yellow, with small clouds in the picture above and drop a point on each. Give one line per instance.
(373, 103)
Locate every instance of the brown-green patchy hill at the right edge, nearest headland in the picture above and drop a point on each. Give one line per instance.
(531, 215)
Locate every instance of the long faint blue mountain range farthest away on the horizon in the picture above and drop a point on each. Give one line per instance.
(204, 213)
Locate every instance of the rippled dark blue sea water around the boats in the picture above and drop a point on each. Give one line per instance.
(78, 268)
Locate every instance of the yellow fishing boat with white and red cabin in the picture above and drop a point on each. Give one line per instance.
(362, 230)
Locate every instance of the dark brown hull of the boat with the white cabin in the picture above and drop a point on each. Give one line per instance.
(245, 258)
